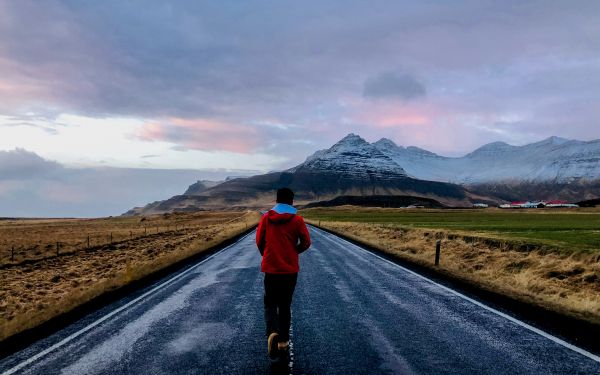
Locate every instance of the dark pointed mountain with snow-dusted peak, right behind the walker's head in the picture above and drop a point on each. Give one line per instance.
(352, 166)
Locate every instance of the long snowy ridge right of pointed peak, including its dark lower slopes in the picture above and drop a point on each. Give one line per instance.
(555, 168)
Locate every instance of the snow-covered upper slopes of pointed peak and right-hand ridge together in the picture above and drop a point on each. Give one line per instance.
(552, 160)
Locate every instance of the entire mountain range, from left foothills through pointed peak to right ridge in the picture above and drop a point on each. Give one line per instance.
(555, 168)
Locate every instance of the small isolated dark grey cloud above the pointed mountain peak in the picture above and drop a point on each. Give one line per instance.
(393, 85)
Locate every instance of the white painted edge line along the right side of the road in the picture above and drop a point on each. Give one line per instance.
(514, 320)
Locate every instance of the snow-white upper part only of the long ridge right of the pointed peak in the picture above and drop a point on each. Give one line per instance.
(552, 160)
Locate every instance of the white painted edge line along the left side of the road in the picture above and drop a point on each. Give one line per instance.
(114, 312)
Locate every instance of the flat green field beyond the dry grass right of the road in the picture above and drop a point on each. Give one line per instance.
(565, 230)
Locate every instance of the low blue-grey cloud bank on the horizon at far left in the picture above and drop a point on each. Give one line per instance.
(31, 186)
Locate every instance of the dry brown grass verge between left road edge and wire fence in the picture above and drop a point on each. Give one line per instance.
(35, 291)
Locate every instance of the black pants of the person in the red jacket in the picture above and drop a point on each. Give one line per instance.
(279, 289)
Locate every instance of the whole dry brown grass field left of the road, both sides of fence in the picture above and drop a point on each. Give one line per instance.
(38, 285)
